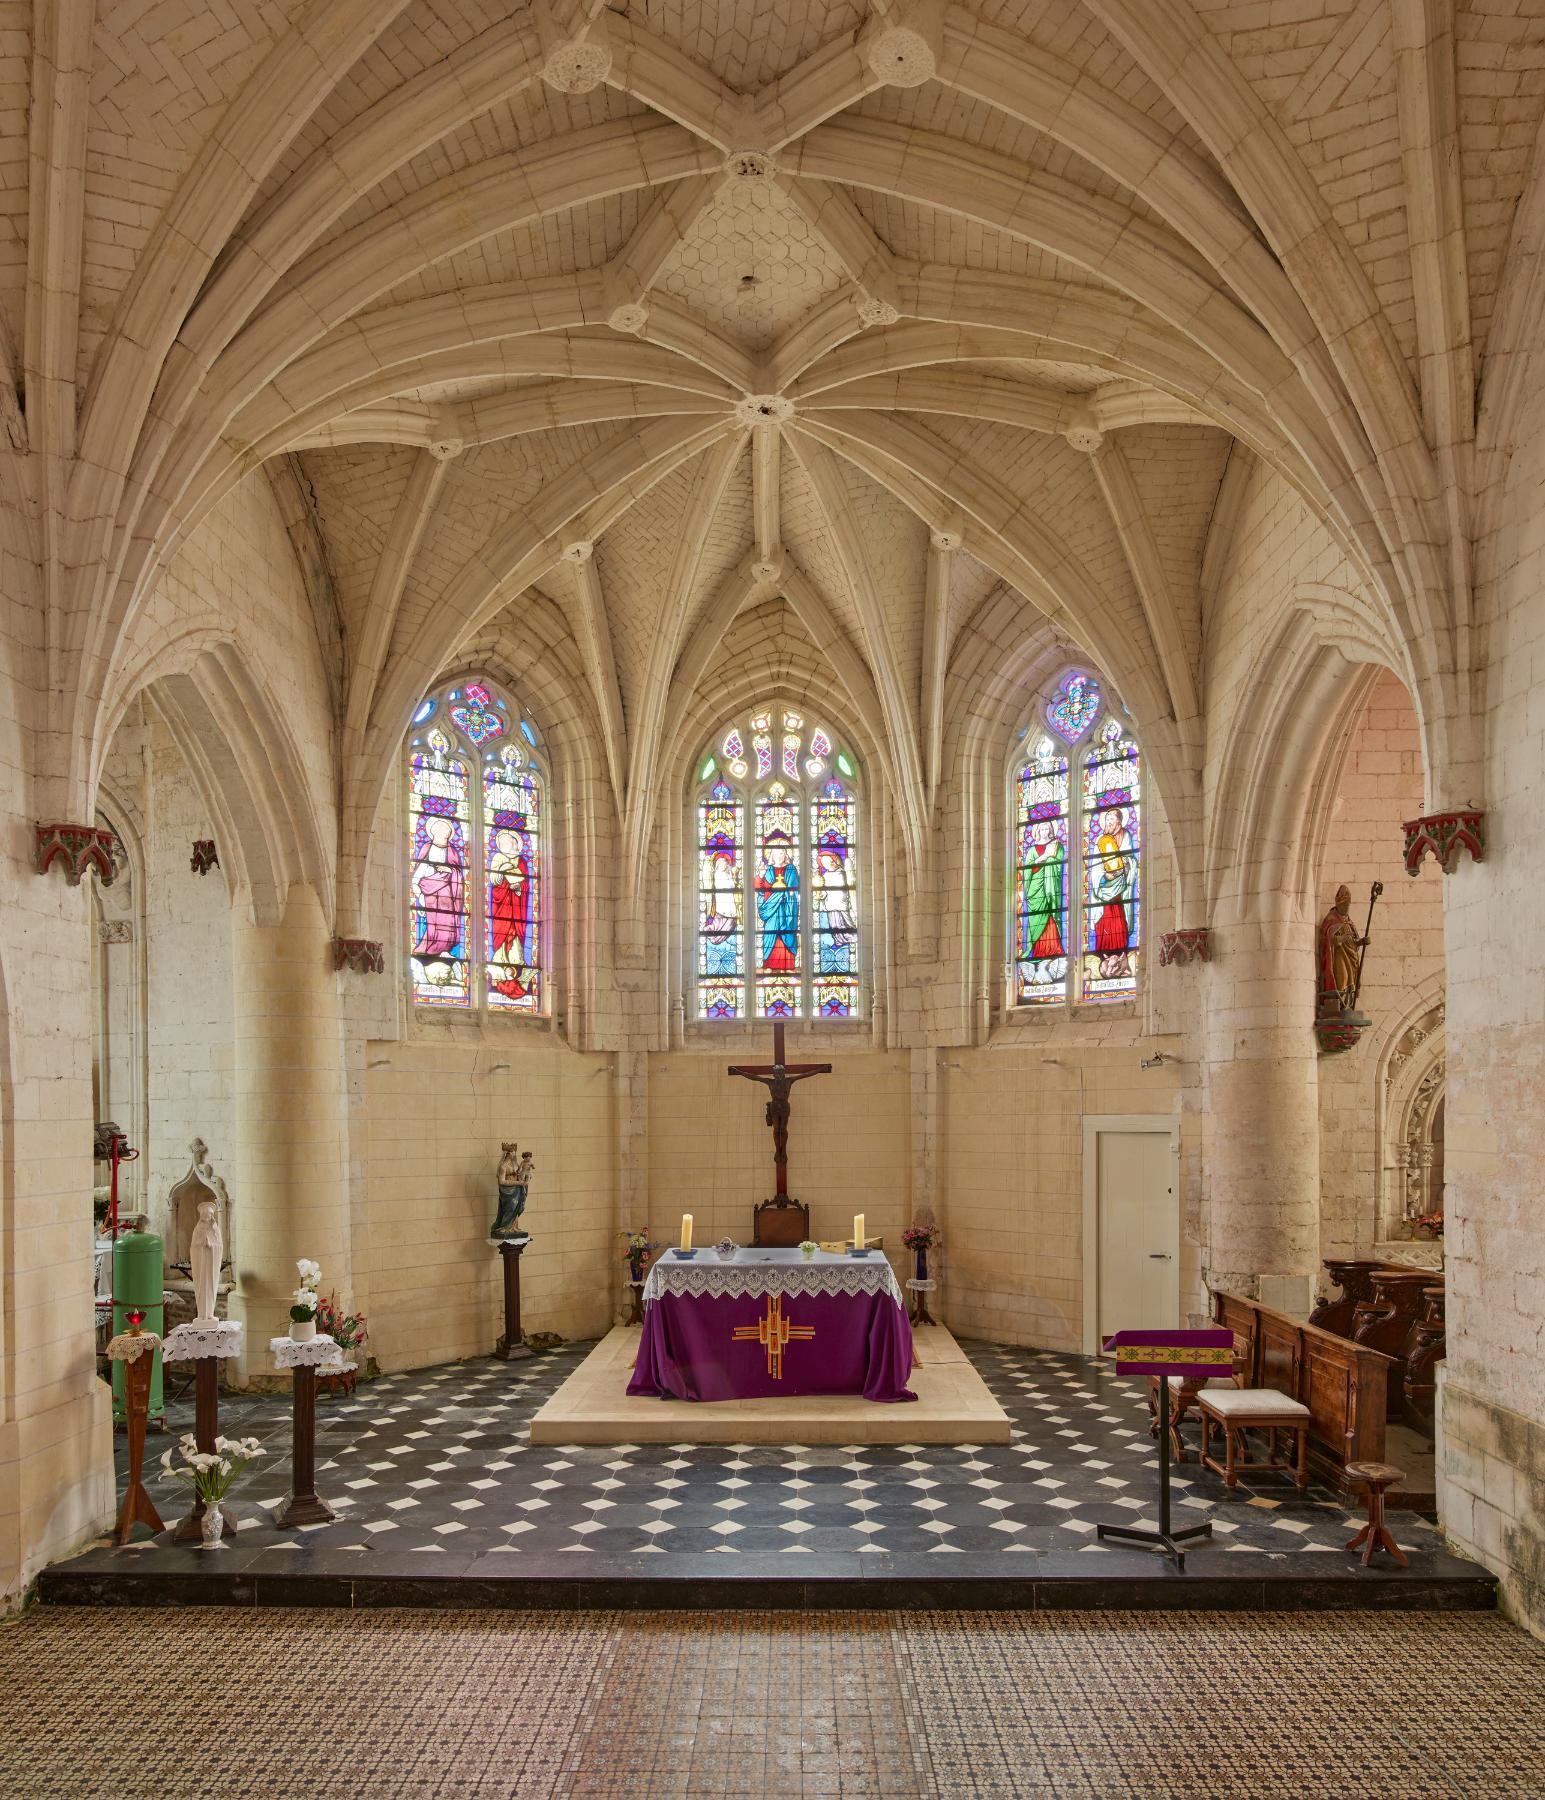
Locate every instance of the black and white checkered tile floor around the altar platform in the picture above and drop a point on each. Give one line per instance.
(438, 1461)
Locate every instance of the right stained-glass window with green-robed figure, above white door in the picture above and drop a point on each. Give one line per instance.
(1078, 852)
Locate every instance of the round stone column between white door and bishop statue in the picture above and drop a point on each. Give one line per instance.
(1261, 1120)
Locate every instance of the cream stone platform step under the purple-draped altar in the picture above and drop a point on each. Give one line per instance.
(953, 1407)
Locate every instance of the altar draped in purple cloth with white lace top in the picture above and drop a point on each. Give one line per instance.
(772, 1324)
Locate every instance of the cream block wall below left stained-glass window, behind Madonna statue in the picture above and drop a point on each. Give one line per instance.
(438, 1110)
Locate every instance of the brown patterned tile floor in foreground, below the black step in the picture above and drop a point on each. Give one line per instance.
(921, 1707)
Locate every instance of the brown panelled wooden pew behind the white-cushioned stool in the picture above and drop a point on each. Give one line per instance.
(1342, 1383)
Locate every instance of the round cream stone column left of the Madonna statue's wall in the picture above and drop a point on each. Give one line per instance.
(291, 1192)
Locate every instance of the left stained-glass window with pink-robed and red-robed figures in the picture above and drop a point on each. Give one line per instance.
(476, 854)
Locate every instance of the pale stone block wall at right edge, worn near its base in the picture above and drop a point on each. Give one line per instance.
(1492, 1471)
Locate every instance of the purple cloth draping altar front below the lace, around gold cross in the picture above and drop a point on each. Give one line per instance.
(691, 1353)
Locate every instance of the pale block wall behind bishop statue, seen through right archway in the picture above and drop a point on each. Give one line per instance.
(1382, 784)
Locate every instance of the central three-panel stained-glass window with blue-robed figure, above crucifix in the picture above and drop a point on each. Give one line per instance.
(777, 874)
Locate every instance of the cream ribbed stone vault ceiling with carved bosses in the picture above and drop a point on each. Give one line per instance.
(644, 318)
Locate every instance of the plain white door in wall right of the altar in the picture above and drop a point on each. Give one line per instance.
(1139, 1230)
